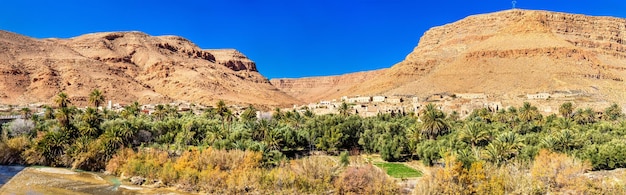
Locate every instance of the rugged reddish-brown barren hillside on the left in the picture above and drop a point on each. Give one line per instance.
(129, 66)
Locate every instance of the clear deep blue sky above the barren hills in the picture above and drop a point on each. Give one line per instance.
(287, 38)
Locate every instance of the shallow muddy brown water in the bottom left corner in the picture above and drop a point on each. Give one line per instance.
(46, 180)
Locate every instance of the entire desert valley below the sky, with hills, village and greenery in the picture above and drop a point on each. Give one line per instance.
(516, 101)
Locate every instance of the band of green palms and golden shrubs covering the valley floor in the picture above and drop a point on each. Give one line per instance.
(188, 151)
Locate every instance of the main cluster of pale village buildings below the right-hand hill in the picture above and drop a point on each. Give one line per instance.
(461, 103)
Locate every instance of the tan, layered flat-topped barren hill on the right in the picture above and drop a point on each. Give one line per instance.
(504, 54)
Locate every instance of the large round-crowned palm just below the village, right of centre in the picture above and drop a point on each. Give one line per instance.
(433, 122)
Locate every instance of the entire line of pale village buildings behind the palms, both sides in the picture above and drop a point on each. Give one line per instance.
(367, 106)
